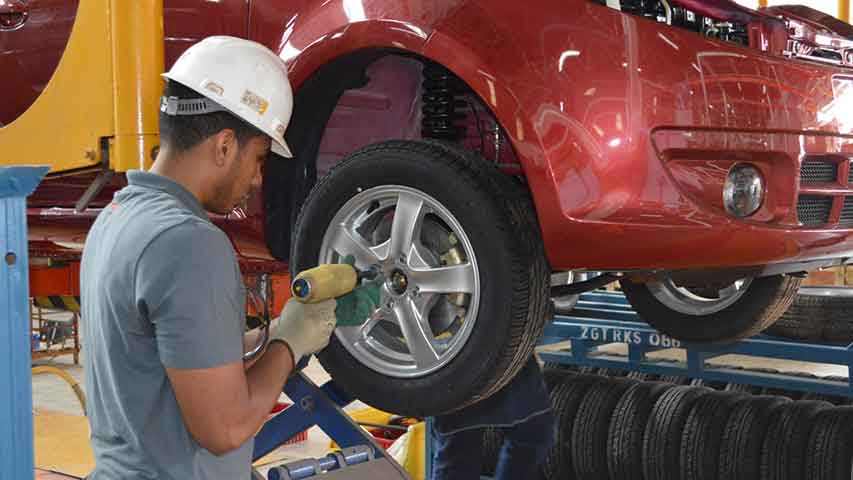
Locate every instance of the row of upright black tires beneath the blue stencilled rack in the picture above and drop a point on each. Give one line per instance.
(621, 428)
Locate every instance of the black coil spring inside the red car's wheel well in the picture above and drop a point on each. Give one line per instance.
(442, 110)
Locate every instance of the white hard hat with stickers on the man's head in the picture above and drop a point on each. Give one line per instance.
(239, 76)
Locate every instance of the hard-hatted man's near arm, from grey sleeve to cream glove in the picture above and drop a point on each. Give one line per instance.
(187, 286)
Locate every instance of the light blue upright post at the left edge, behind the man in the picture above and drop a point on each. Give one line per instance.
(16, 420)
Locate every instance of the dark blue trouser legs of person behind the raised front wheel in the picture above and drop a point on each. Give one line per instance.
(521, 410)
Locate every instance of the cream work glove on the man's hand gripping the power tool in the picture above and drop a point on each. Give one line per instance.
(304, 327)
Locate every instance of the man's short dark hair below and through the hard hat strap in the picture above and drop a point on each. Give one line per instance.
(183, 132)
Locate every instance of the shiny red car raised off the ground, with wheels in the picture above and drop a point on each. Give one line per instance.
(698, 151)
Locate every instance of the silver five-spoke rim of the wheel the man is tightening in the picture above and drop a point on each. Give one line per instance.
(431, 290)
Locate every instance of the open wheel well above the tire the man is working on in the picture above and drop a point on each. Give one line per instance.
(368, 97)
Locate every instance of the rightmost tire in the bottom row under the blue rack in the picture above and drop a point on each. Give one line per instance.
(830, 449)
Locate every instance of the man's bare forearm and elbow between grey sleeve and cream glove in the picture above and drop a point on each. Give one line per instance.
(224, 406)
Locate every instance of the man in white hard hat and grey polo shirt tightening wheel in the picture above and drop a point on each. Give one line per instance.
(162, 295)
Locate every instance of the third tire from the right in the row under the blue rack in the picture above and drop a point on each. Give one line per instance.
(743, 437)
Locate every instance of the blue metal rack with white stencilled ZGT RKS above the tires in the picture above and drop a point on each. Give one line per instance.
(603, 318)
